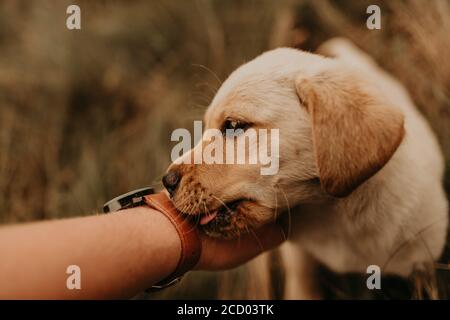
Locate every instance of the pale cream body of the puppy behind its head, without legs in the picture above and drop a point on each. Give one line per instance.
(398, 218)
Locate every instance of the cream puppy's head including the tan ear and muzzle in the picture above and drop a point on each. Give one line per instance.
(334, 132)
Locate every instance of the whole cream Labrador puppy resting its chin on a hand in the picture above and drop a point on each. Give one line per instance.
(360, 171)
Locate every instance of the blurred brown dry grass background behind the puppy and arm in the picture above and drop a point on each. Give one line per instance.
(86, 115)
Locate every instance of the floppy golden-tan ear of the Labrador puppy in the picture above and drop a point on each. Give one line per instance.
(354, 134)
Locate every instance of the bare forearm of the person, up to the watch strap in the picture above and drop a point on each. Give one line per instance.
(119, 255)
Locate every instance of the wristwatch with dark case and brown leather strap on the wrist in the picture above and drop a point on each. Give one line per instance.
(190, 241)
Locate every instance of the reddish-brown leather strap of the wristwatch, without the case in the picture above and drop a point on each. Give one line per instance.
(190, 241)
